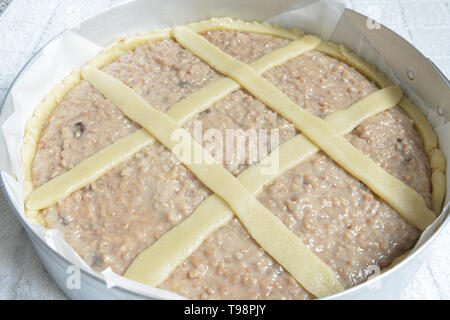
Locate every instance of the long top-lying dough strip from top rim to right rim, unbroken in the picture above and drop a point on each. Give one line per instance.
(406, 201)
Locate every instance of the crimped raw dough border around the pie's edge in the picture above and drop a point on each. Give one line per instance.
(34, 125)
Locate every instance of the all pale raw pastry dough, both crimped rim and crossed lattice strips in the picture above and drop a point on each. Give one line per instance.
(212, 213)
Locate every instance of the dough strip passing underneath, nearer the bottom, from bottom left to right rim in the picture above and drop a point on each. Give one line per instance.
(159, 260)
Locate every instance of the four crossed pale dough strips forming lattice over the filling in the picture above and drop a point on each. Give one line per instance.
(155, 264)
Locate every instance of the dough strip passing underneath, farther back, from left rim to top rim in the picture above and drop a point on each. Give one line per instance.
(93, 167)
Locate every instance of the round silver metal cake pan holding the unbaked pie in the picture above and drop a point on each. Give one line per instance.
(132, 17)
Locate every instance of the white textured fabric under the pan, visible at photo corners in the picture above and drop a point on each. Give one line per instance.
(27, 25)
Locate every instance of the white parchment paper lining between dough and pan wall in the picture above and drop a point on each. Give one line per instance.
(71, 51)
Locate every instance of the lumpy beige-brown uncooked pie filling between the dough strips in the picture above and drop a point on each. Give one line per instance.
(346, 225)
